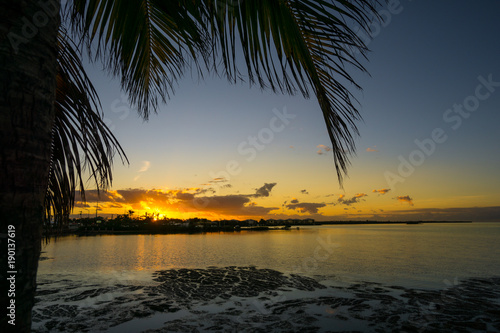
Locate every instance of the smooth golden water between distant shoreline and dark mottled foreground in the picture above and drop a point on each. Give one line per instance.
(425, 256)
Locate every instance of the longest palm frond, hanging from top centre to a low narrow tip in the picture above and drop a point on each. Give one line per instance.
(298, 45)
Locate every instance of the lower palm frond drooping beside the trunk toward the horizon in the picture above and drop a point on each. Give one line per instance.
(81, 140)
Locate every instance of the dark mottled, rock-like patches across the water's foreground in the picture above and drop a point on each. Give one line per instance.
(249, 299)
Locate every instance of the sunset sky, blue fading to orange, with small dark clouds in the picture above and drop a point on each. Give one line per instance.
(428, 147)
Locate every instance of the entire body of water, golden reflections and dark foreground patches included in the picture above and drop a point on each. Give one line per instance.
(412, 278)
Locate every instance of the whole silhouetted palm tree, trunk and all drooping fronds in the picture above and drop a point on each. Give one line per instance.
(289, 46)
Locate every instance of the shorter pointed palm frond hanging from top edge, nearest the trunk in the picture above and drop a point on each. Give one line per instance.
(146, 43)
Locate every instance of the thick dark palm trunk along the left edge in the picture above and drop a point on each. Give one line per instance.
(28, 53)
